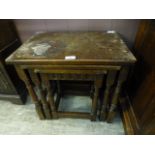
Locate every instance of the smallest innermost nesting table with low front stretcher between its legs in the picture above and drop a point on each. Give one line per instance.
(46, 76)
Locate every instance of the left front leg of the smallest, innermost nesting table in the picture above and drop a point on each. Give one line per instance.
(50, 96)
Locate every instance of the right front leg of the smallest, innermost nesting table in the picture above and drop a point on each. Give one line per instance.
(97, 86)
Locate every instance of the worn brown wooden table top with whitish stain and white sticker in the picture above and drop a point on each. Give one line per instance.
(73, 48)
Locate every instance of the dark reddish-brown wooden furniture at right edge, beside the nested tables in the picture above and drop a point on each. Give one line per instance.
(140, 107)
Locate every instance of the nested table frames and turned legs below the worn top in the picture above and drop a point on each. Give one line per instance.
(48, 109)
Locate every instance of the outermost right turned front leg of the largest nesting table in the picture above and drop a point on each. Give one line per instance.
(122, 77)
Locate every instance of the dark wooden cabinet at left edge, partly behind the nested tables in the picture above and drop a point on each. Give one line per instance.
(11, 87)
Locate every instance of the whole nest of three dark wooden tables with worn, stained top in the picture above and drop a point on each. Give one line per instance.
(100, 57)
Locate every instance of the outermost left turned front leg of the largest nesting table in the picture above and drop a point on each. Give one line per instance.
(31, 91)
